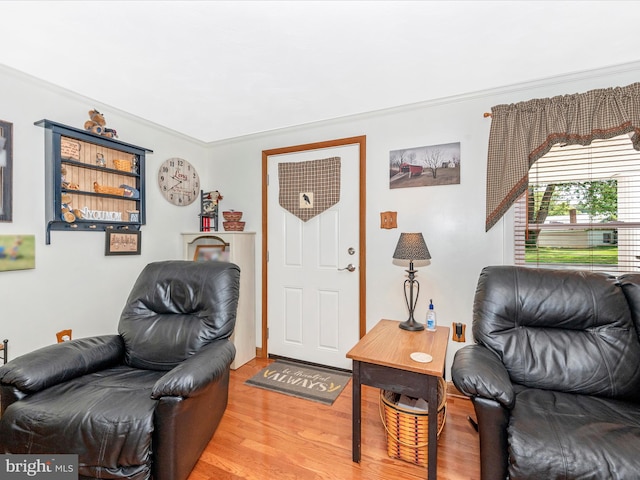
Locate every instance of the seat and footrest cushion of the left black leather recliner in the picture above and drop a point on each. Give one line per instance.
(105, 417)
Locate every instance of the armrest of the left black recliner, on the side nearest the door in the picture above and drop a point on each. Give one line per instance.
(197, 372)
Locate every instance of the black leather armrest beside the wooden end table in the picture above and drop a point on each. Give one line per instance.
(477, 371)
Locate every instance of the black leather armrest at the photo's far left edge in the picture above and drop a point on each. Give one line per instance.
(60, 362)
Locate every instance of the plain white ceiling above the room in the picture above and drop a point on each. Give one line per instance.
(215, 70)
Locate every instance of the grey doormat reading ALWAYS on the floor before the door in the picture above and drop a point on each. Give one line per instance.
(319, 384)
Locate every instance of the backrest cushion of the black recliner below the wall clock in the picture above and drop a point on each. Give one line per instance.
(175, 308)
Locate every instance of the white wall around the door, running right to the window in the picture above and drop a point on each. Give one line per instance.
(452, 218)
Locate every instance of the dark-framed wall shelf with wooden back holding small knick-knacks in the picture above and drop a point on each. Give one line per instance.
(85, 159)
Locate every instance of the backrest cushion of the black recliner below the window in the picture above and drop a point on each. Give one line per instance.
(559, 330)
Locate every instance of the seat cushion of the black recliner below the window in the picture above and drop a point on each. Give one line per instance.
(555, 435)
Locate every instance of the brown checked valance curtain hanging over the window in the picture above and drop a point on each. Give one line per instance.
(523, 132)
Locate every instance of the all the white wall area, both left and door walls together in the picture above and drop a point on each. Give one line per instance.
(75, 286)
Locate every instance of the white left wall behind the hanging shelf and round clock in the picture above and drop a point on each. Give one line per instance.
(74, 285)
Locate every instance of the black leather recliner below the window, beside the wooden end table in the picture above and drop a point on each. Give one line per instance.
(555, 374)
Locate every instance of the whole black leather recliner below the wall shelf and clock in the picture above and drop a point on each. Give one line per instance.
(137, 405)
